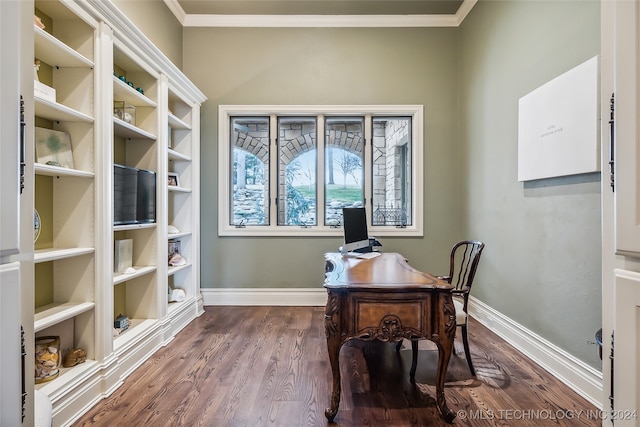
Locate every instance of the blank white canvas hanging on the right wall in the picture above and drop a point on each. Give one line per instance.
(558, 131)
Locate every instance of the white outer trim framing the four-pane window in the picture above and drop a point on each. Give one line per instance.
(224, 173)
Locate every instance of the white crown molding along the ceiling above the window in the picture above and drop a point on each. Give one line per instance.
(314, 21)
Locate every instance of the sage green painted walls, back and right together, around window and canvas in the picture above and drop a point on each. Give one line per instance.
(542, 264)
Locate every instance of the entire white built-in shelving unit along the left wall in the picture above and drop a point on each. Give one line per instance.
(83, 50)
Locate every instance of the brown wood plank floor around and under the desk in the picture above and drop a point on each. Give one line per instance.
(268, 366)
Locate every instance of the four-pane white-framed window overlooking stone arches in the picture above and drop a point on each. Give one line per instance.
(291, 170)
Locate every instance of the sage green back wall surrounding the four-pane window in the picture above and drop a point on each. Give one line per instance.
(326, 66)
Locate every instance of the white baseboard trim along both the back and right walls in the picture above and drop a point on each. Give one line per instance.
(582, 378)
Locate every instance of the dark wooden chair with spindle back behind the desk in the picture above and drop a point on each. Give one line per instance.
(463, 264)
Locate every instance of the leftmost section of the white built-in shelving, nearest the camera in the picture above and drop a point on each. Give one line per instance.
(66, 255)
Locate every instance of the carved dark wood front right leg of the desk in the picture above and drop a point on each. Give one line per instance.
(444, 342)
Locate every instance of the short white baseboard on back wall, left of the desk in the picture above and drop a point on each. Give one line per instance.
(265, 296)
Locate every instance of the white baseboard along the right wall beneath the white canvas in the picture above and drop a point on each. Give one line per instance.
(580, 377)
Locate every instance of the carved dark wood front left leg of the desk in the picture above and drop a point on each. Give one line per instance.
(333, 331)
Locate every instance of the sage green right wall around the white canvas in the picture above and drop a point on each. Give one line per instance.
(542, 263)
